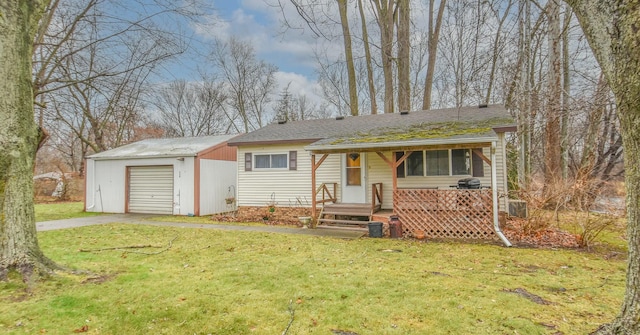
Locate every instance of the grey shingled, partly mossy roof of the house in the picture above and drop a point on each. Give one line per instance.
(451, 125)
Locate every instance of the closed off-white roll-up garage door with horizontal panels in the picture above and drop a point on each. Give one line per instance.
(151, 189)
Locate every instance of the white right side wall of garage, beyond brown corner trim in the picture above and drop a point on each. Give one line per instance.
(216, 179)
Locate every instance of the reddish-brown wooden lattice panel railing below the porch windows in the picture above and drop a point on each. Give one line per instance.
(466, 214)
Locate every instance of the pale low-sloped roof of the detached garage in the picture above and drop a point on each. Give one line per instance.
(163, 147)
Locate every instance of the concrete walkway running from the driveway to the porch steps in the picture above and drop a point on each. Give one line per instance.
(141, 219)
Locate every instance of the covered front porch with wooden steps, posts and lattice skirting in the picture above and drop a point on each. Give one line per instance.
(435, 211)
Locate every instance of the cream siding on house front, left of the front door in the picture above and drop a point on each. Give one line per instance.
(288, 188)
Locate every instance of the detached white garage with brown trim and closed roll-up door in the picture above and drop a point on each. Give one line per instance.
(179, 176)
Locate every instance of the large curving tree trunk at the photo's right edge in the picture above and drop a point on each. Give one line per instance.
(611, 28)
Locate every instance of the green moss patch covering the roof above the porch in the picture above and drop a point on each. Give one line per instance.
(425, 131)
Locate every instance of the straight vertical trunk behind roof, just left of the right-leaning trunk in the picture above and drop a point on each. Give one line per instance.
(404, 56)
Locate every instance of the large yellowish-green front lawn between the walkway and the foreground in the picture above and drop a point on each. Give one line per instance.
(221, 282)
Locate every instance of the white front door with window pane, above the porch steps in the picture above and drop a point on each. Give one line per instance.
(353, 178)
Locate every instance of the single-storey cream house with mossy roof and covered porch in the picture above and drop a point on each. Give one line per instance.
(405, 163)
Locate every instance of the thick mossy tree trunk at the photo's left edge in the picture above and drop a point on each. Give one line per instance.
(19, 138)
